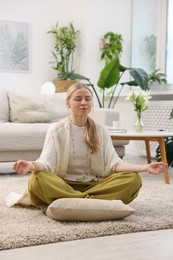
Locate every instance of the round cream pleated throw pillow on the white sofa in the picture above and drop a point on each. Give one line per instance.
(31, 112)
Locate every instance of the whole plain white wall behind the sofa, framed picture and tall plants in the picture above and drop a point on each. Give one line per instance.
(92, 17)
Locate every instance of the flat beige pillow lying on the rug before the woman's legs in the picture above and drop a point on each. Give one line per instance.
(82, 209)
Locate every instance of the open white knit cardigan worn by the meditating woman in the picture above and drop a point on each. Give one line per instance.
(55, 154)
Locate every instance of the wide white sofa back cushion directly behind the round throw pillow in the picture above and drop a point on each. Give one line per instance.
(56, 102)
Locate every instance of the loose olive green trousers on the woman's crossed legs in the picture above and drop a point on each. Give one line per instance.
(45, 187)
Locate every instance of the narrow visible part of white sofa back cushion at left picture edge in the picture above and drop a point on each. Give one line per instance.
(4, 107)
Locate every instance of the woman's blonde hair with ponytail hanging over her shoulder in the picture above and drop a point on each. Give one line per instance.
(90, 136)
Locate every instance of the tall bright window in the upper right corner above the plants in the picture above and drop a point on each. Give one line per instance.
(152, 36)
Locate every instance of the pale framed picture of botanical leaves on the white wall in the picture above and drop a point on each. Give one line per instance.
(14, 46)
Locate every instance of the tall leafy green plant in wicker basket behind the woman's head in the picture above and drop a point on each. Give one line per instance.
(65, 39)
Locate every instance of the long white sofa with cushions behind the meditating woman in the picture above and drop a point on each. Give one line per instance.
(22, 132)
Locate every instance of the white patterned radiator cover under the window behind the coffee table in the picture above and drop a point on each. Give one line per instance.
(156, 117)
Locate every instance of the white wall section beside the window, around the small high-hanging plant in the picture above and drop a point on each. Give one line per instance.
(104, 16)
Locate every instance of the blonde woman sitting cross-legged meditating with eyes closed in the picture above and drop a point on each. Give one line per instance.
(78, 159)
